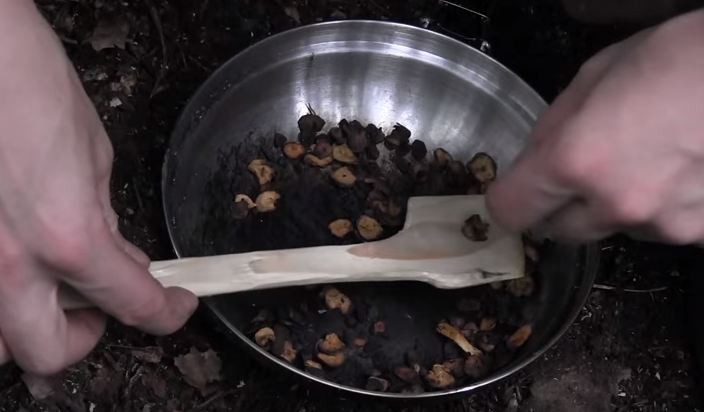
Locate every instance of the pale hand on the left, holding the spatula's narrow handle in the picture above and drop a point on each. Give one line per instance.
(56, 222)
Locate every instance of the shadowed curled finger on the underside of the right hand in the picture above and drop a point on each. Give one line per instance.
(577, 222)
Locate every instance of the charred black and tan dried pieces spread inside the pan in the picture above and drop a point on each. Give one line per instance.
(350, 185)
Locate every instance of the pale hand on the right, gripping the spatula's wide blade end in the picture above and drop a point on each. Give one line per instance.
(622, 149)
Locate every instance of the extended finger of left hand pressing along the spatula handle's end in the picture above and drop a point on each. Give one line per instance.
(120, 286)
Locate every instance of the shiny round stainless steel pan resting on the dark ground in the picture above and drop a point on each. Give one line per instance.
(447, 93)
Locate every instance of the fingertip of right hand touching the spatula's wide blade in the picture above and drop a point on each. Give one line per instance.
(528, 193)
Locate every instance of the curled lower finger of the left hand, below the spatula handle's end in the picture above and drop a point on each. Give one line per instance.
(42, 338)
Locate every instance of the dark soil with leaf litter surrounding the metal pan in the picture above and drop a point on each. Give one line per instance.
(628, 351)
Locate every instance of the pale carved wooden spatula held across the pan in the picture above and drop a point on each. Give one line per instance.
(431, 248)
